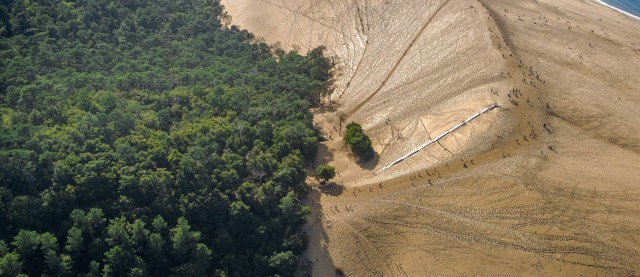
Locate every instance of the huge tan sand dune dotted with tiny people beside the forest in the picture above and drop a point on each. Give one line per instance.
(548, 184)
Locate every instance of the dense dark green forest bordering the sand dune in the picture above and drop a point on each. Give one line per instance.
(149, 138)
